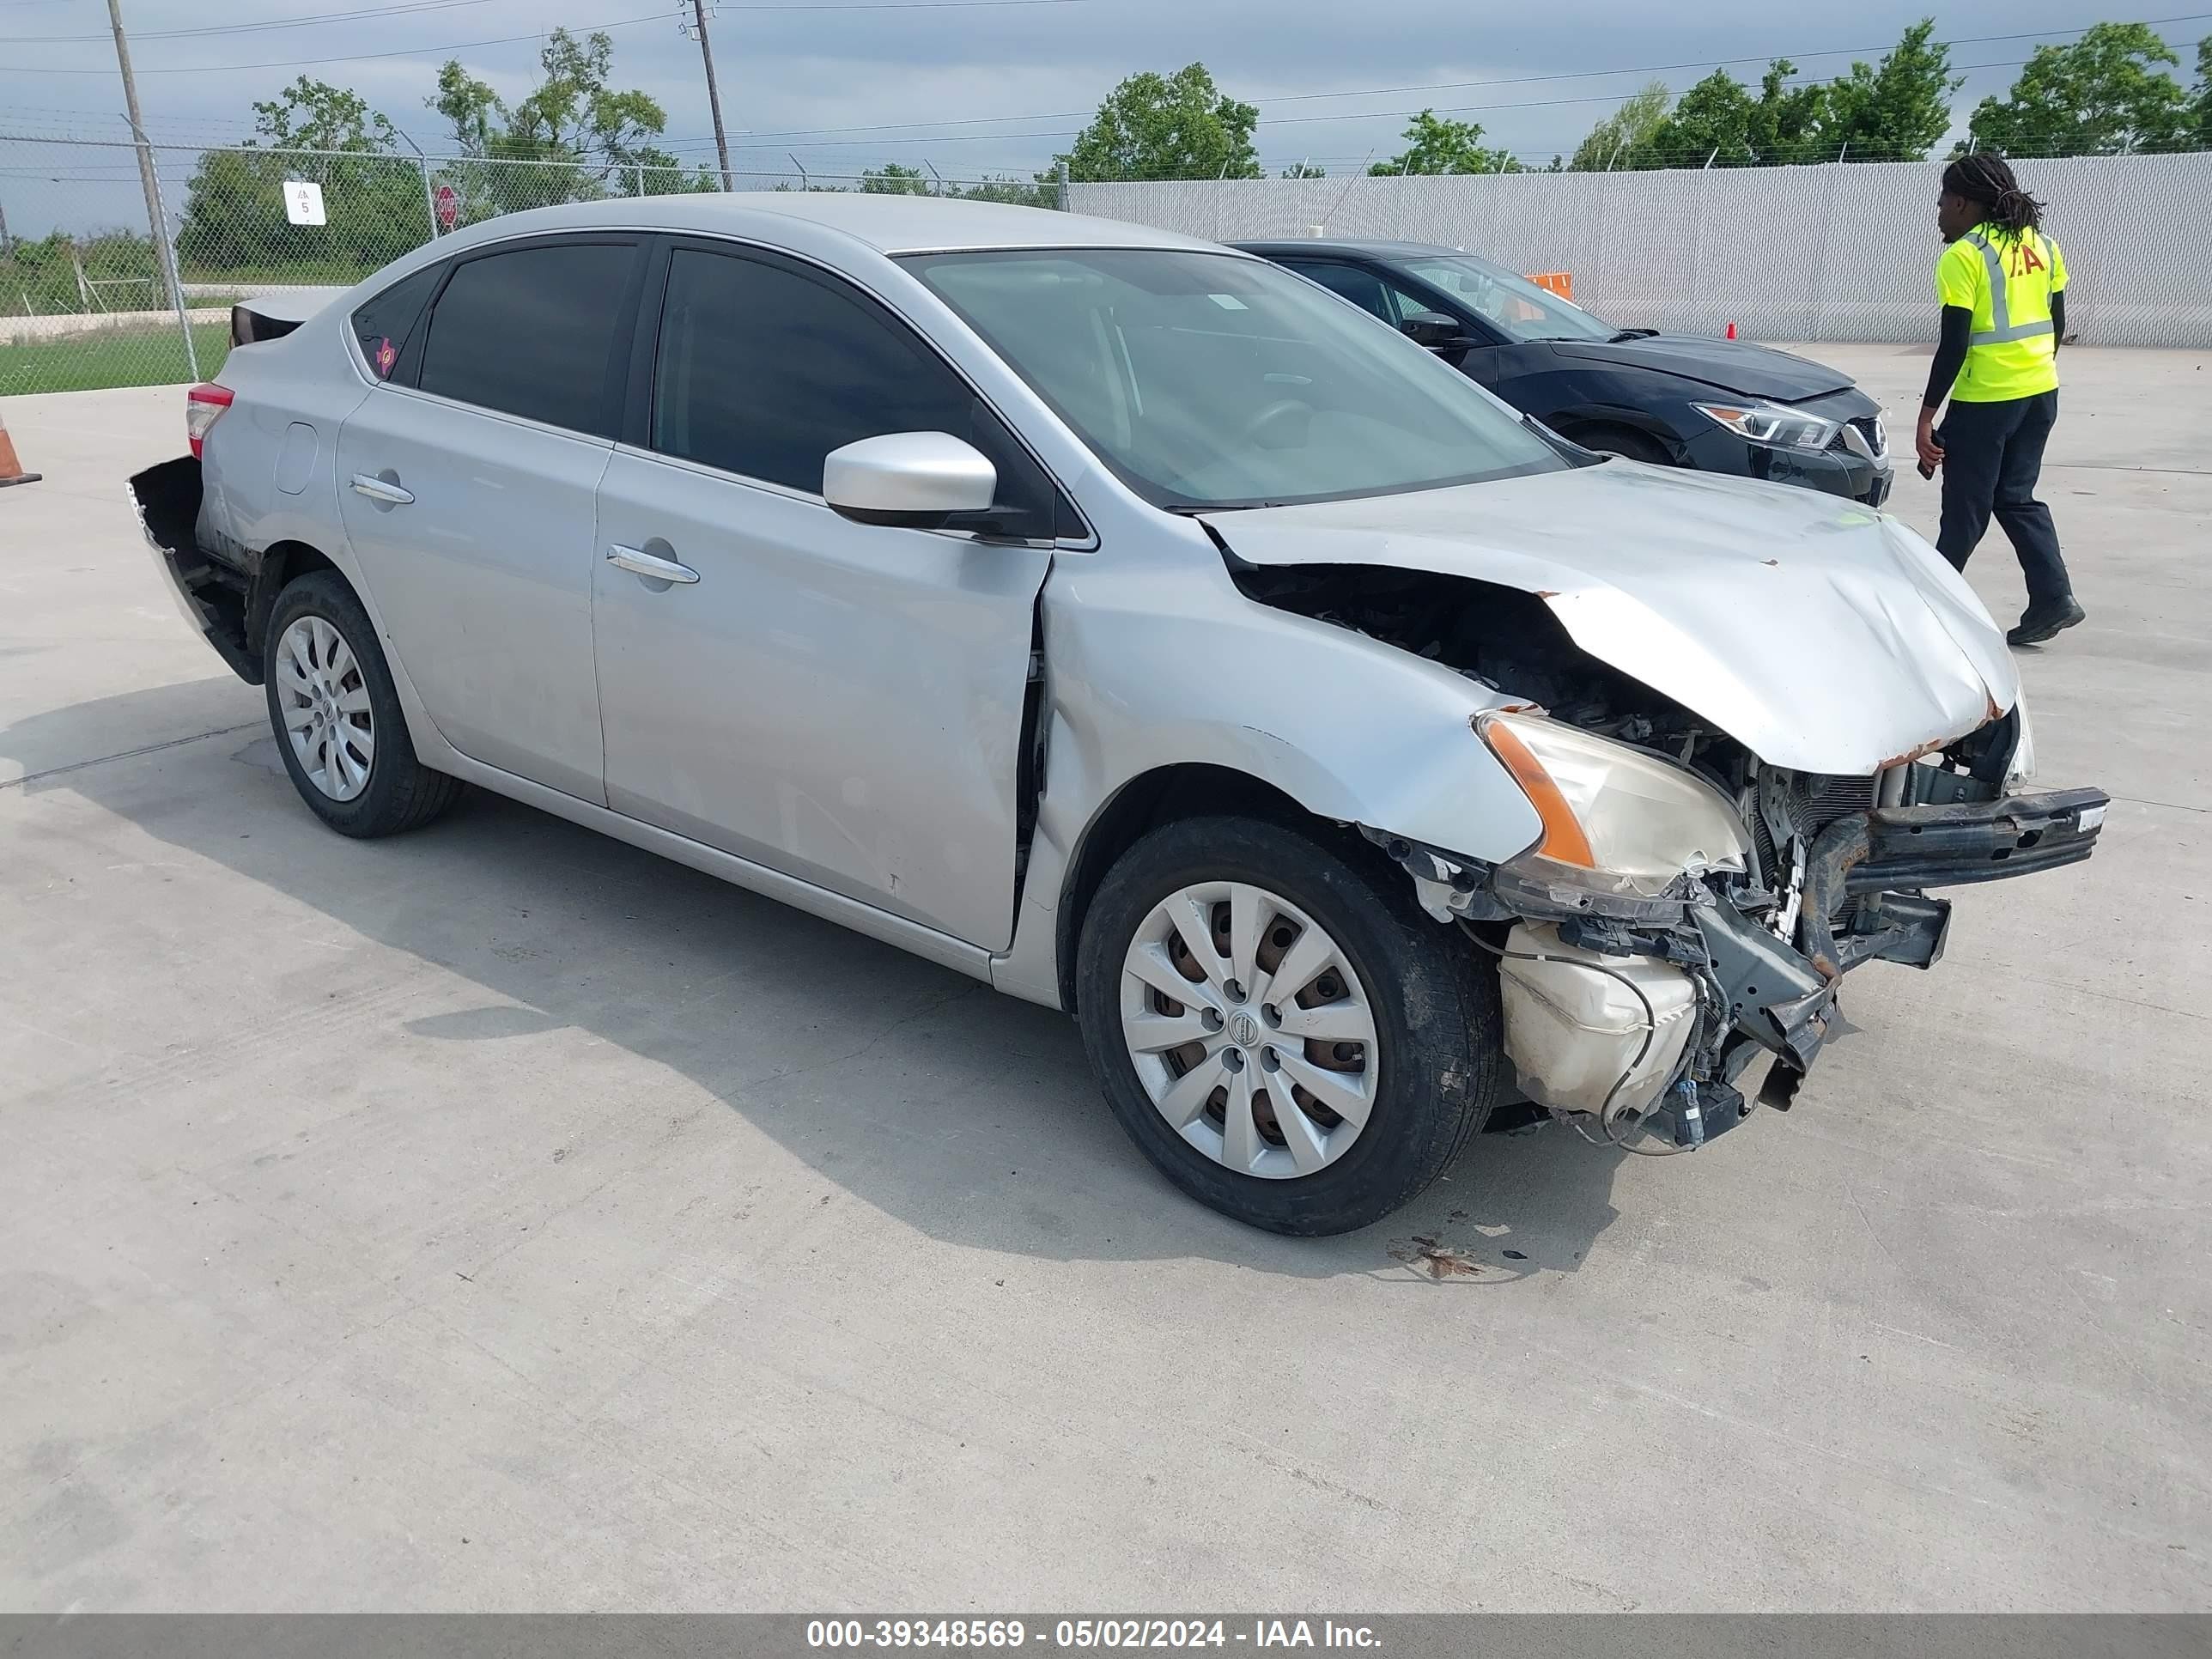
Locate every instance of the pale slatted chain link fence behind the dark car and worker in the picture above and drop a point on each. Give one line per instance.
(1811, 253)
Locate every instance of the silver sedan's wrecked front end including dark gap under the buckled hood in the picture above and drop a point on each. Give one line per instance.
(1687, 906)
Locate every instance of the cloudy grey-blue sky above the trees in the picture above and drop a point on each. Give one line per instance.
(983, 85)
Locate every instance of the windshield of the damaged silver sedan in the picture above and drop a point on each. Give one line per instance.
(1215, 382)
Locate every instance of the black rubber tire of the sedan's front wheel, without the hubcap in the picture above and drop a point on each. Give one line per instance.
(1434, 1008)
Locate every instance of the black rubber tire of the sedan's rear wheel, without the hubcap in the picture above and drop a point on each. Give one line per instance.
(401, 793)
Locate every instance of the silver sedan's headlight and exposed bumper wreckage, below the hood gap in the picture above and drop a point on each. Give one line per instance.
(1673, 924)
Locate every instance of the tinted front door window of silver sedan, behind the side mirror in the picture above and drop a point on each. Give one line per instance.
(766, 371)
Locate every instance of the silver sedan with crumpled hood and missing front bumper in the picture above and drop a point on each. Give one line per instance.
(1131, 625)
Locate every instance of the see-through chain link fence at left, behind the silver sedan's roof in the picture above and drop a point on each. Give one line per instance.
(85, 298)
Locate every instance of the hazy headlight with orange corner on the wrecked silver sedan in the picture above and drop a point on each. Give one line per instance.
(1627, 820)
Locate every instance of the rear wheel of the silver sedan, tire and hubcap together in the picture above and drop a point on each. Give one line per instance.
(340, 720)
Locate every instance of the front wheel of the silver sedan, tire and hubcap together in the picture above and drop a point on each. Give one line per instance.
(1280, 1027)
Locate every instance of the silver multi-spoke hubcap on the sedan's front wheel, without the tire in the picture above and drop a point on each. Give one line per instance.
(1249, 1030)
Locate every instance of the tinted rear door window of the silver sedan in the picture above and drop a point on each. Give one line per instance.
(532, 333)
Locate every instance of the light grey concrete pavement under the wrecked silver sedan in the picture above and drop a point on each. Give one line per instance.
(499, 1218)
